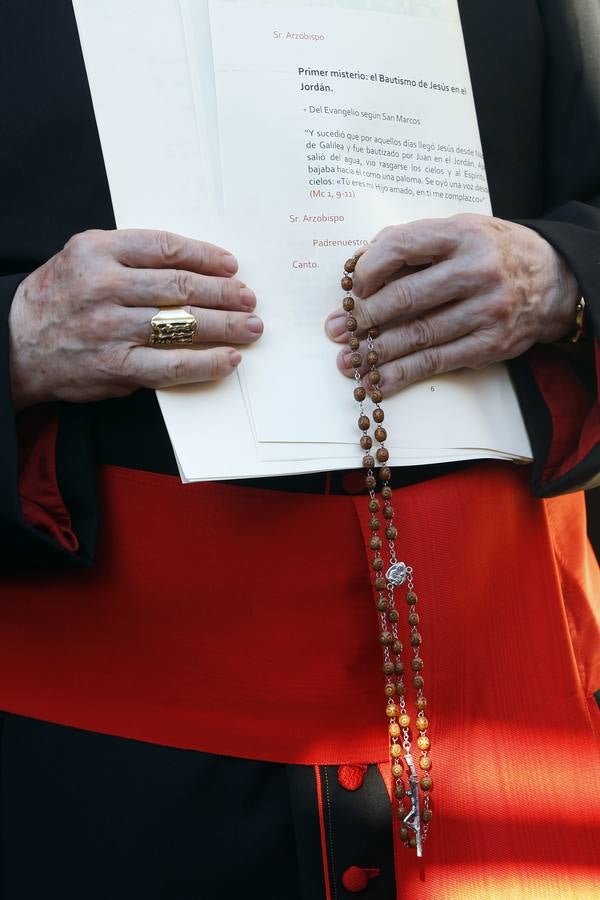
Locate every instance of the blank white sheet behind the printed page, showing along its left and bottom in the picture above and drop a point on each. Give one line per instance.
(159, 177)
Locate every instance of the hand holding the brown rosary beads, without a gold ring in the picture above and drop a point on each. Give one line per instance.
(466, 291)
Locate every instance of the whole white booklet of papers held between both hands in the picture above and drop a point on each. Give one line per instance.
(292, 132)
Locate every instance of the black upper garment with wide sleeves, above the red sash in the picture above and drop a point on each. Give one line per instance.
(534, 68)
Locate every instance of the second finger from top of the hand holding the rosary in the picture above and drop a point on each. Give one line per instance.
(408, 297)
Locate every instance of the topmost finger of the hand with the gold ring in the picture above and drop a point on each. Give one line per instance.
(142, 248)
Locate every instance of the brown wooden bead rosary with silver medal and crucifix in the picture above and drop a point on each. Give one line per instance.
(413, 795)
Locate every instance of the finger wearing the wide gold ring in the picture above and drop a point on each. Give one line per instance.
(213, 326)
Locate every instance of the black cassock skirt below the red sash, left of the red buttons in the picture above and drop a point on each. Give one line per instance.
(94, 817)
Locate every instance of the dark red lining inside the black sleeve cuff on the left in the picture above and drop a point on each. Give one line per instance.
(42, 506)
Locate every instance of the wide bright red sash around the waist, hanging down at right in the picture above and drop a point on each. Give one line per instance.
(241, 622)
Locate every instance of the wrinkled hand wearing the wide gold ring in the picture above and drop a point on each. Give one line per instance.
(79, 325)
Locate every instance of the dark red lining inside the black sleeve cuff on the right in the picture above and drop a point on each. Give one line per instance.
(574, 412)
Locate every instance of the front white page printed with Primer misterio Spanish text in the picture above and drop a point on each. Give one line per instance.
(267, 181)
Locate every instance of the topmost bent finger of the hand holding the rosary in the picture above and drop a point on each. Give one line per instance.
(414, 244)
